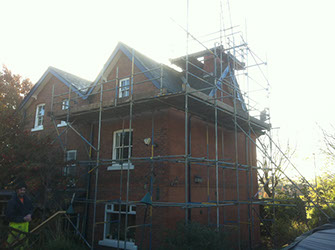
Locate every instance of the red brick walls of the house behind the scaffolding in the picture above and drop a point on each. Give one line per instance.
(168, 129)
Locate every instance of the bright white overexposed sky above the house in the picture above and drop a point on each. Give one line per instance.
(295, 38)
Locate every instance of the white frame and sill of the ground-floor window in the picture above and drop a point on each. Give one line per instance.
(109, 208)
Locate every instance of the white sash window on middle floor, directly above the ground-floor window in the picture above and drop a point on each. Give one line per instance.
(121, 148)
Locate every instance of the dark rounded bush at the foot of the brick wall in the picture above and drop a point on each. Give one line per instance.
(195, 236)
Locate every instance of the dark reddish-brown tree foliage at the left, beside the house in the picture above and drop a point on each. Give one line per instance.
(24, 156)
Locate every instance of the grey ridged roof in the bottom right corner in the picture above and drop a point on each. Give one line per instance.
(321, 238)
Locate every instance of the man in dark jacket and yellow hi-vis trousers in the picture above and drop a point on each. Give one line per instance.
(19, 211)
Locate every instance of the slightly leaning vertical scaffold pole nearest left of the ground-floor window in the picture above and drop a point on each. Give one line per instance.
(97, 166)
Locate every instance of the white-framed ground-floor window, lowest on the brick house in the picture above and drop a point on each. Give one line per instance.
(111, 228)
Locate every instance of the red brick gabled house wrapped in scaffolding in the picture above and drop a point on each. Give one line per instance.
(168, 146)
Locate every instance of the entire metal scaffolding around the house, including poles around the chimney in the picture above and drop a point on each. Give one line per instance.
(216, 97)
